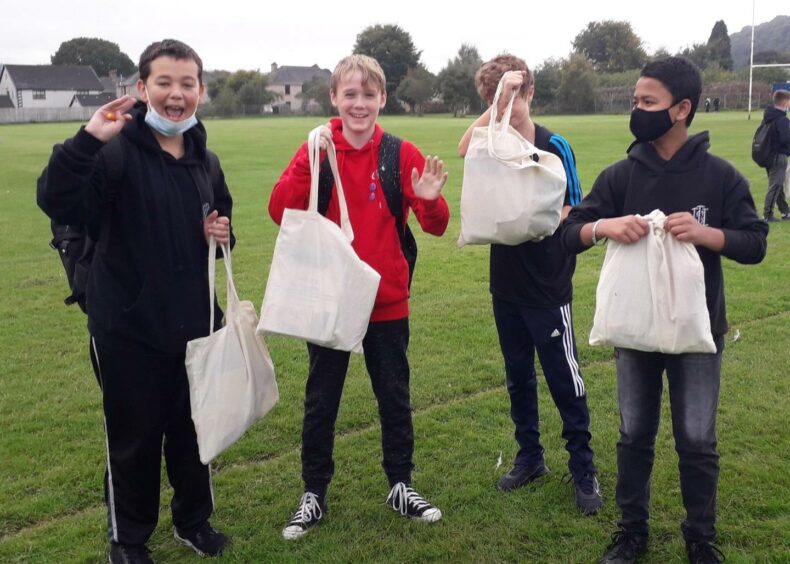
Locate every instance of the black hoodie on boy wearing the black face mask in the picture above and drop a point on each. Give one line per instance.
(693, 180)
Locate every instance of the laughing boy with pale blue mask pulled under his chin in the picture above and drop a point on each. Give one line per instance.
(140, 177)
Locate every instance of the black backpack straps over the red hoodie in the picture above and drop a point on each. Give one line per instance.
(389, 174)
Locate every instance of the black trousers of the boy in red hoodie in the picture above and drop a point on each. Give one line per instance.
(385, 346)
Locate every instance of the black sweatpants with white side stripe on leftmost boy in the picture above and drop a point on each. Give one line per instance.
(146, 410)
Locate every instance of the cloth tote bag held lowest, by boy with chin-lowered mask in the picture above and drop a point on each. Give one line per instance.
(231, 375)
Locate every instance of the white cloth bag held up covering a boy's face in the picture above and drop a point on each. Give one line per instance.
(512, 192)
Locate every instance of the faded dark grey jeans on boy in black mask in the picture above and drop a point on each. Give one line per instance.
(694, 397)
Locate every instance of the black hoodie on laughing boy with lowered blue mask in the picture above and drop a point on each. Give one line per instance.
(148, 283)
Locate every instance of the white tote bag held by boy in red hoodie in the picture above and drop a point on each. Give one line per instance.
(318, 289)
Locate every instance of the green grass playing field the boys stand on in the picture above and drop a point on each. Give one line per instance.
(52, 444)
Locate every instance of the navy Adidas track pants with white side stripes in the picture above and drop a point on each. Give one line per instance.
(522, 331)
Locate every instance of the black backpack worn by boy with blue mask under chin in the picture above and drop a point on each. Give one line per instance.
(76, 244)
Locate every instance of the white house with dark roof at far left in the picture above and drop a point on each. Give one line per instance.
(47, 86)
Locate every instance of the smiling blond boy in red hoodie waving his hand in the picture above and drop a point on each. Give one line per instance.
(358, 91)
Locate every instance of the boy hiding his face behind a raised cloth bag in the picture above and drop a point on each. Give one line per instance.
(531, 294)
